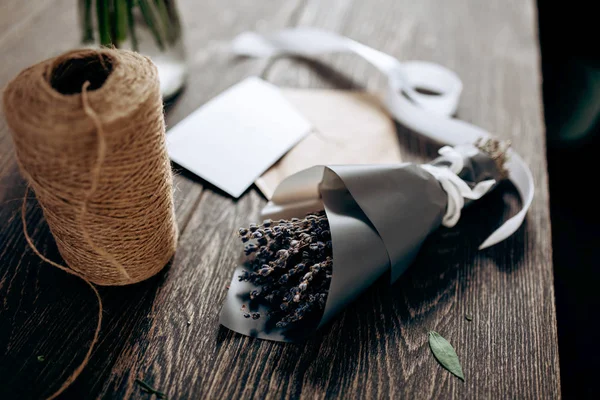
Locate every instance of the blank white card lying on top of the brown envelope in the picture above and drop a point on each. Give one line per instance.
(231, 140)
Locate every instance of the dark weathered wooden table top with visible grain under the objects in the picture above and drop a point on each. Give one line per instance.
(378, 347)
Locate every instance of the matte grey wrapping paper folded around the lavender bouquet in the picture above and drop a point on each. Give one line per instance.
(379, 216)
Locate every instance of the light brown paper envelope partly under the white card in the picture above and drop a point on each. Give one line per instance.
(350, 127)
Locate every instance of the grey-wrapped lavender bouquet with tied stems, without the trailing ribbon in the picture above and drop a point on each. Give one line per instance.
(331, 231)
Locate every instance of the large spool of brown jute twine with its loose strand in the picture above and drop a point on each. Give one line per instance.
(89, 134)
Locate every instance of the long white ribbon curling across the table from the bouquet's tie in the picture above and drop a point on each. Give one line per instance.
(428, 115)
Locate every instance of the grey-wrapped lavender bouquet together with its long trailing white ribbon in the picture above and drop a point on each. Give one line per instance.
(332, 231)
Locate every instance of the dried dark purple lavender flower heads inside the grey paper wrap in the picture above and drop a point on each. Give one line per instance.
(291, 263)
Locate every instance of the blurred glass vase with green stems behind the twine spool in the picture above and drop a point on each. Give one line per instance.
(150, 27)
